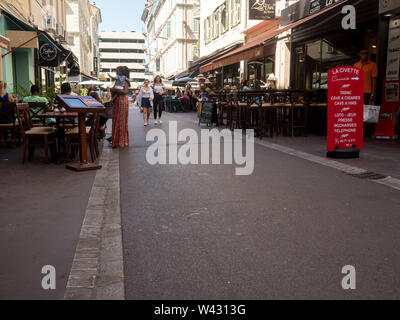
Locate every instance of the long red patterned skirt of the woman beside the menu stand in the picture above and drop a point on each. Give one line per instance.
(120, 122)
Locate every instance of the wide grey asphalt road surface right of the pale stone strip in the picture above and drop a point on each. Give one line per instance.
(283, 232)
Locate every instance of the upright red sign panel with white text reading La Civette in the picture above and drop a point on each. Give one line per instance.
(345, 108)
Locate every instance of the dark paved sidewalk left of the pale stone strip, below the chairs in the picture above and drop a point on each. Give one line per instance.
(42, 207)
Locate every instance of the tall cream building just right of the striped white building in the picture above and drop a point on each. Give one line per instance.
(172, 35)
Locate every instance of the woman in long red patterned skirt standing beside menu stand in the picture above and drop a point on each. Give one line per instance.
(120, 134)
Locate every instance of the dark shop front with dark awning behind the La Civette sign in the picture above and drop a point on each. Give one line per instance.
(321, 44)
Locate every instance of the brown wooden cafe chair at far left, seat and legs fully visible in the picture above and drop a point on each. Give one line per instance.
(32, 137)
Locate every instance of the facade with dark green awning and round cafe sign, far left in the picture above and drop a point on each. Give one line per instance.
(44, 23)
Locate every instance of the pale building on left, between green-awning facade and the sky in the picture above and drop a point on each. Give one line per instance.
(79, 38)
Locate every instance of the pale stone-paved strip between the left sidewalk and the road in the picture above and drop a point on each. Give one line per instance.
(97, 271)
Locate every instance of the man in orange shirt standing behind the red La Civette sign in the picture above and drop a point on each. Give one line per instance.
(370, 76)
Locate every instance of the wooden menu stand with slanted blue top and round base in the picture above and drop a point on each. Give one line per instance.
(82, 105)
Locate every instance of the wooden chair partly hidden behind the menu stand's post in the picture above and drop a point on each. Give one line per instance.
(72, 139)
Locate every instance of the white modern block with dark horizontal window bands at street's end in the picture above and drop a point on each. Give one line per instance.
(122, 49)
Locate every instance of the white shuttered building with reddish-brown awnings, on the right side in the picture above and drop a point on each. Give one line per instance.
(225, 25)
